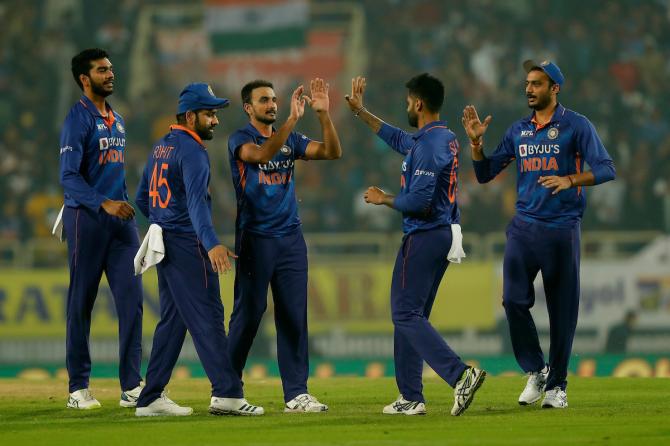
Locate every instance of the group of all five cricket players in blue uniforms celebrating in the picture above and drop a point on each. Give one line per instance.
(550, 147)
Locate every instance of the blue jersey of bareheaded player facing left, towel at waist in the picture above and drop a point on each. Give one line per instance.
(429, 177)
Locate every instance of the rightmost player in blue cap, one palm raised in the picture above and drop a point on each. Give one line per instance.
(550, 147)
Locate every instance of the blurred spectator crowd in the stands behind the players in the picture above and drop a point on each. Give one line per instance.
(615, 56)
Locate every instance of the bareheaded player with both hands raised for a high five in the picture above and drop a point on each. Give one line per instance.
(268, 237)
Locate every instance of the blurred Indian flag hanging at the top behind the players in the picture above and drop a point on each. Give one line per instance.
(236, 26)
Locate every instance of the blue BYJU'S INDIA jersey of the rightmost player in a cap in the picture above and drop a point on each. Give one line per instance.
(559, 147)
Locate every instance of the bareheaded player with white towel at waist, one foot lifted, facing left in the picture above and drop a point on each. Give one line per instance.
(432, 238)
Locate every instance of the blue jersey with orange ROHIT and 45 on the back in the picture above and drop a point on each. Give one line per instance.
(173, 192)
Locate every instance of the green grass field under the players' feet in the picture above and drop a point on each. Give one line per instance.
(602, 411)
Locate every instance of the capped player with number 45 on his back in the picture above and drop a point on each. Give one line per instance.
(173, 194)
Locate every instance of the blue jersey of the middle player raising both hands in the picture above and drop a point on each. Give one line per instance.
(266, 203)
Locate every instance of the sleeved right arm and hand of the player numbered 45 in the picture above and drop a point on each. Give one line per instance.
(195, 171)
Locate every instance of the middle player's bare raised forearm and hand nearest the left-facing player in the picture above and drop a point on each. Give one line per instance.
(330, 148)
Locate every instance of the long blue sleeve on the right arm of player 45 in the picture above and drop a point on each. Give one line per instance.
(195, 171)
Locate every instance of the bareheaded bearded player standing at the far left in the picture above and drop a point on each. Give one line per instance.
(100, 229)
